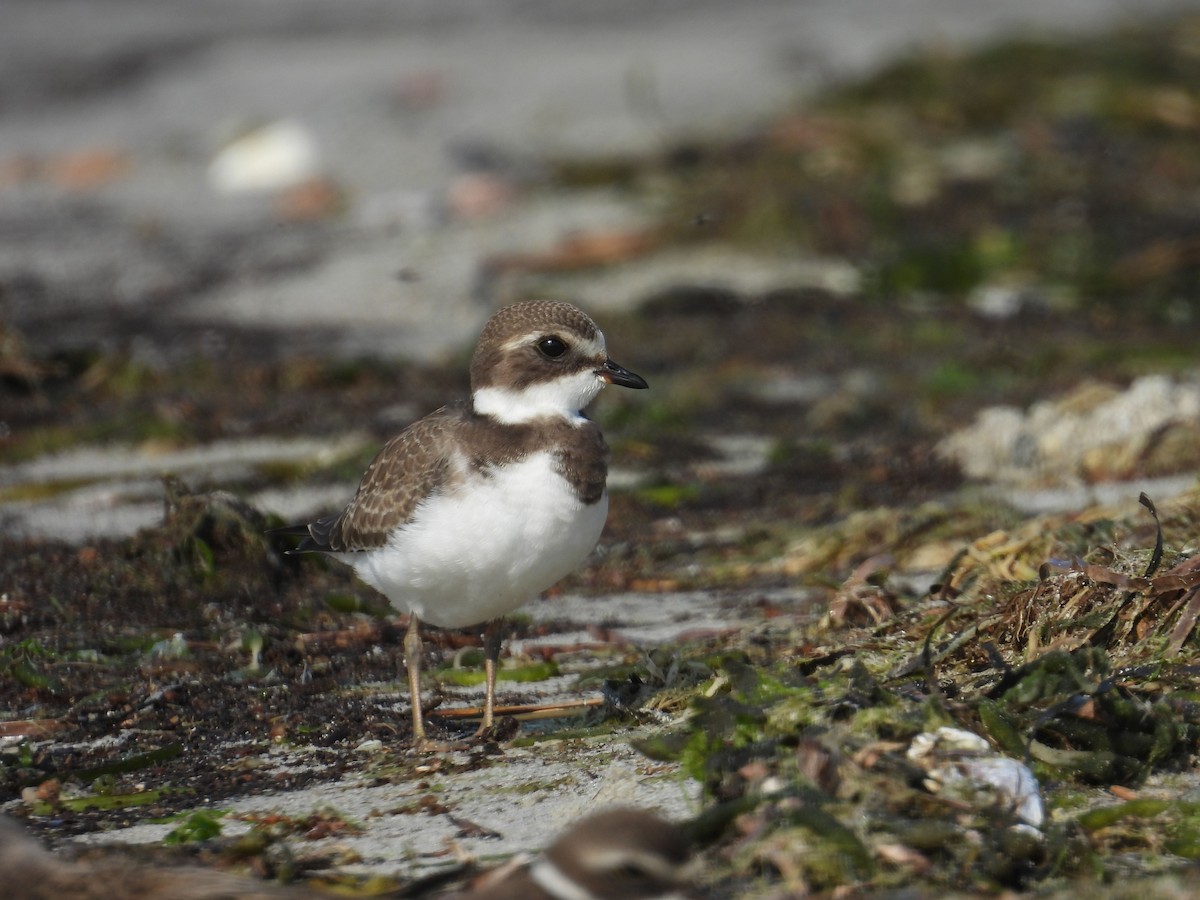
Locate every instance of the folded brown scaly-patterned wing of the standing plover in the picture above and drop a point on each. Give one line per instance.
(412, 466)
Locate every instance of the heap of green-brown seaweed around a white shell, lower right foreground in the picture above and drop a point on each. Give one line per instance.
(1024, 724)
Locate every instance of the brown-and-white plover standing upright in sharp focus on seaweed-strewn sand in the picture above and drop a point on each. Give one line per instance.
(482, 506)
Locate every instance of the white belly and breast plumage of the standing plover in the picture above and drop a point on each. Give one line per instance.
(488, 548)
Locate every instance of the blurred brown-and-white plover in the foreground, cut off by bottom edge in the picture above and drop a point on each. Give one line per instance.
(619, 855)
